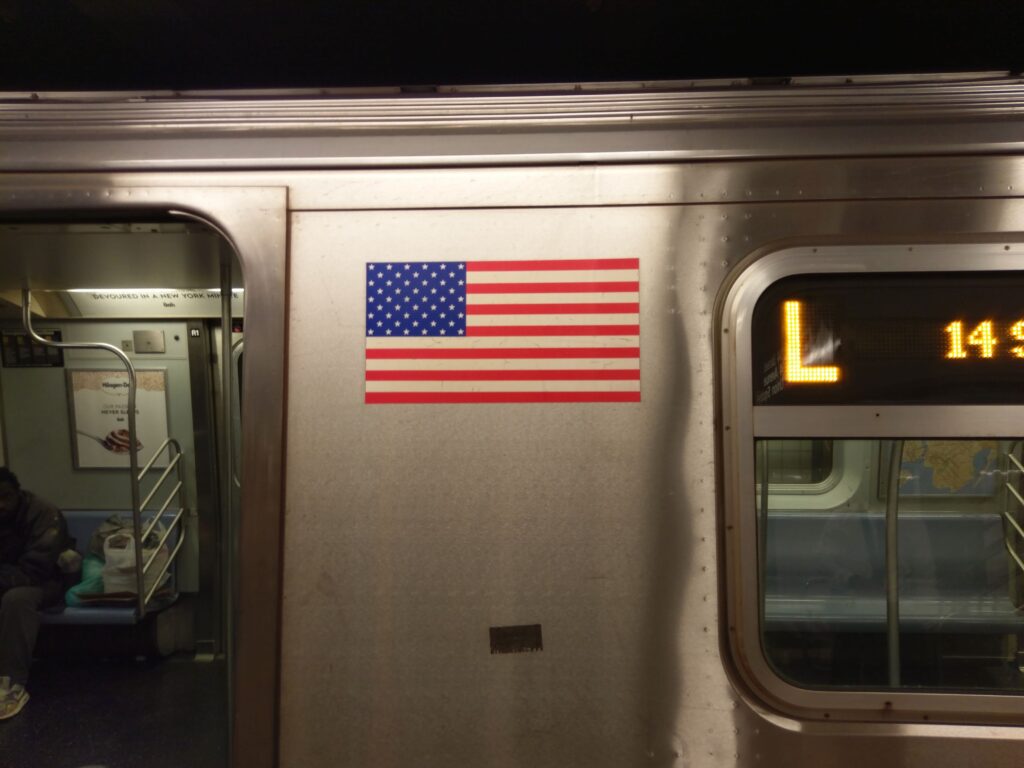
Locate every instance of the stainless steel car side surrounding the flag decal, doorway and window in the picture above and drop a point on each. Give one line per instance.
(382, 549)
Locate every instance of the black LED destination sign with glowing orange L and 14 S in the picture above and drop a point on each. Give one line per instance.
(890, 338)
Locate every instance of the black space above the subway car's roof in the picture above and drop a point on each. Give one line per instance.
(196, 45)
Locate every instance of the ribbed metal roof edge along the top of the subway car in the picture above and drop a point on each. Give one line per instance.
(984, 94)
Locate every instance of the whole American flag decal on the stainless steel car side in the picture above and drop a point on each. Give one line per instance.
(534, 331)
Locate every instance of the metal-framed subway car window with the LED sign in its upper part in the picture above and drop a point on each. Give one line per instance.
(880, 497)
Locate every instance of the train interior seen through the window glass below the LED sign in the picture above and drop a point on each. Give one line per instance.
(959, 582)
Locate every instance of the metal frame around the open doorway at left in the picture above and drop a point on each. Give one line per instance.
(254, 222)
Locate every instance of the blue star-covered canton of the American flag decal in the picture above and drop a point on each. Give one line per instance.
(416, 298)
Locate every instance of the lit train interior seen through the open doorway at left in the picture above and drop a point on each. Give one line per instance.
(114, 682)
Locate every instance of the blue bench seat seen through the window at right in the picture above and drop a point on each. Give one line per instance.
(826, 574)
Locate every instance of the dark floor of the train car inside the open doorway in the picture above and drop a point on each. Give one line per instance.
(120, 713)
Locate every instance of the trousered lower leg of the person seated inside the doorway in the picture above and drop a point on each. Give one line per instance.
(19, 628)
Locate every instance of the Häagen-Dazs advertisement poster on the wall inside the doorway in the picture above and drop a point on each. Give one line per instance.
(100, 417)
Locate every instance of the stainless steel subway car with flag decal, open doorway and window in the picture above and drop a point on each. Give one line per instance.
(604, 425)
